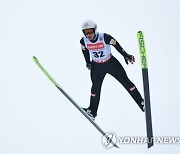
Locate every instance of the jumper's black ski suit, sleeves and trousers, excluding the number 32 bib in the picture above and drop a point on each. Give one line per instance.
(113, 67)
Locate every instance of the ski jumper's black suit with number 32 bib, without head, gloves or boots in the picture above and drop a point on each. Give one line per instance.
(104, 62)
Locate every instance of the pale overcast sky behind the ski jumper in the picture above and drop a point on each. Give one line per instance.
(35, 118)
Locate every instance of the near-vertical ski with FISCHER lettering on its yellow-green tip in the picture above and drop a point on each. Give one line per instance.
(144, 66)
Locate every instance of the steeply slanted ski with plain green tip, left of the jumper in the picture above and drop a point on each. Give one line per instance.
(71, 100)
